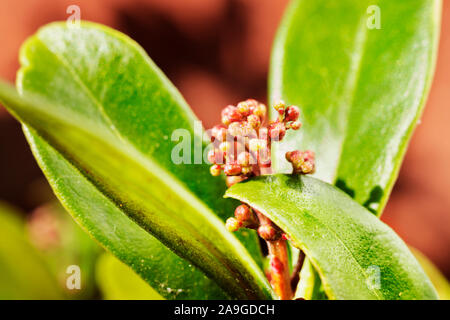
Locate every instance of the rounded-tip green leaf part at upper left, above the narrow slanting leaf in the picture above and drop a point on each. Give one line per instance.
(104, 75)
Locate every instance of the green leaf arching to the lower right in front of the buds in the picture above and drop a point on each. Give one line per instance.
(347, 245)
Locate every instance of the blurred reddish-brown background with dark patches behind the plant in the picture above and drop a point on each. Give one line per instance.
(217, 52)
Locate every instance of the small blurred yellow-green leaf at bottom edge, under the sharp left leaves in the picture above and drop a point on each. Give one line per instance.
(118, 282)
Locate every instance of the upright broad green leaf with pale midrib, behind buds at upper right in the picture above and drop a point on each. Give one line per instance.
(361, 90)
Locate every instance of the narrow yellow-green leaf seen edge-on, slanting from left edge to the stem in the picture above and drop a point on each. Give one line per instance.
(144, 191)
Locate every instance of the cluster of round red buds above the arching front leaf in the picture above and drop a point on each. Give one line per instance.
(242, 141)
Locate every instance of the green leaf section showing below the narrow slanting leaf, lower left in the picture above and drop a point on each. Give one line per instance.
(104, 221)
